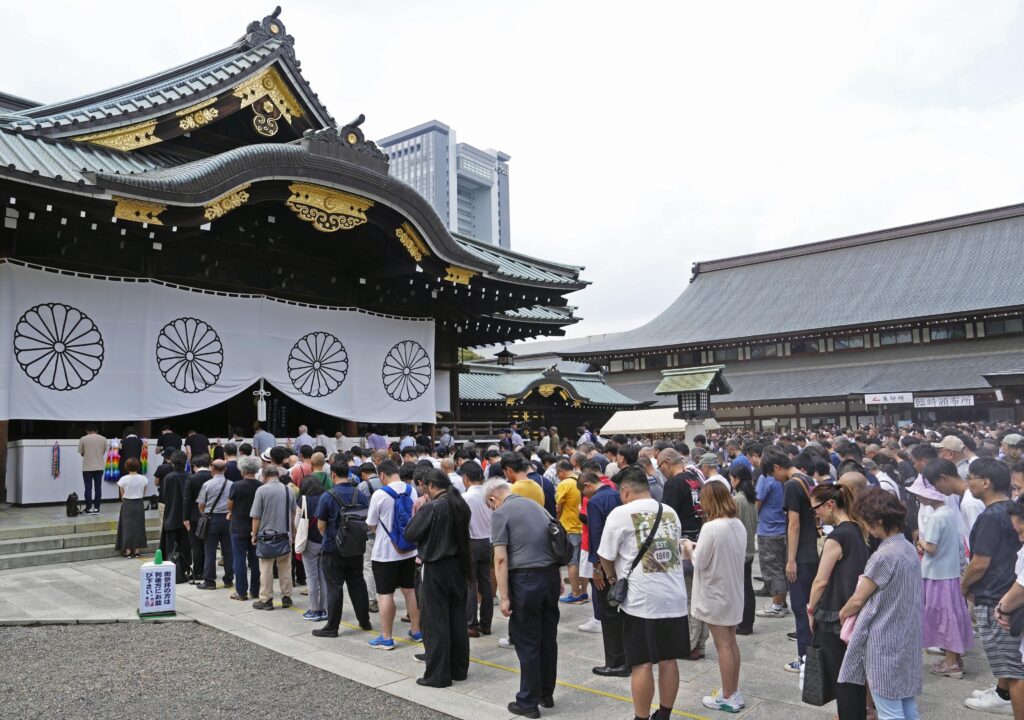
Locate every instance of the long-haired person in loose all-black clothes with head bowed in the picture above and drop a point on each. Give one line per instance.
(441, 531)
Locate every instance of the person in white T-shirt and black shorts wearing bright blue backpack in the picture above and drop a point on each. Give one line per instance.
(394, 557)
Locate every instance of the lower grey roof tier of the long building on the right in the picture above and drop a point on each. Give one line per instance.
(931, 368)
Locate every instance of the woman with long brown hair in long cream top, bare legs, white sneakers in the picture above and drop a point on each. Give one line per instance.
(718, 581)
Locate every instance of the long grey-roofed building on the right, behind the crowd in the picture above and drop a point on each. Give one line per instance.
(923, 323)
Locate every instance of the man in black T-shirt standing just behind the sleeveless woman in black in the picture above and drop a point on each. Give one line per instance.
(802, 536)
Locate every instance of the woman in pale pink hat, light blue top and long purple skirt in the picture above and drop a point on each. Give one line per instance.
(947, 621)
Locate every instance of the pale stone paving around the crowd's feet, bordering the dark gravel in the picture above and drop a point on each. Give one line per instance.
(107, 591)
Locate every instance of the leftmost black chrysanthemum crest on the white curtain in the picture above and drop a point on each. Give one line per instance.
(59, 347)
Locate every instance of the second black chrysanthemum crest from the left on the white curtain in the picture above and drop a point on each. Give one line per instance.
(190, 355)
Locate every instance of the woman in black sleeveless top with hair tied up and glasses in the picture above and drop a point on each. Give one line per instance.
(843, 559)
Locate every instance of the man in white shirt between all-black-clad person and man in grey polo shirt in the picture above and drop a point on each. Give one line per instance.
(481, 553)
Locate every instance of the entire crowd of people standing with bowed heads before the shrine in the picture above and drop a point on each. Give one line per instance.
(880, 543)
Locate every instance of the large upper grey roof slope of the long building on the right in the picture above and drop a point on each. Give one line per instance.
(968, 265)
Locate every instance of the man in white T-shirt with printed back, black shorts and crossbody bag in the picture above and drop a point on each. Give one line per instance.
(654, 616)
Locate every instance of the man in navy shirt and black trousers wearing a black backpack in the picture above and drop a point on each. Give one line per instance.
(342, 516)
